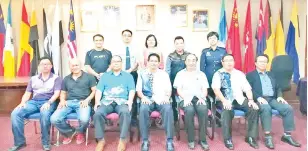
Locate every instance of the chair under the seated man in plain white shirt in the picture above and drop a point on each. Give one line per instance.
(211, 113)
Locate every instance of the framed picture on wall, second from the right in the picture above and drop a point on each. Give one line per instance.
(179, 15)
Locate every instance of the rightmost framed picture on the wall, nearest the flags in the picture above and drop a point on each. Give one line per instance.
(200, 20)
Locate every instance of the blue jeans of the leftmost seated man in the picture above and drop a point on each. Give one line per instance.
(17, 119)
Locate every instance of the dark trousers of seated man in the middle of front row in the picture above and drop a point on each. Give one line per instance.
(166, 114)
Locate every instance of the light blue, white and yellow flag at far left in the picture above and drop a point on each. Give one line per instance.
(9, 55)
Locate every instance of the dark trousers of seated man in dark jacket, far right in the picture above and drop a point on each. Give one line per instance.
(285, 111)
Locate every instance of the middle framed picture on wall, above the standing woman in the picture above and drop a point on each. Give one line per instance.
(145, 17)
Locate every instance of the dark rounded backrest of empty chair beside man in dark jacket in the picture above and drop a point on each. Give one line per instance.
(282, 68)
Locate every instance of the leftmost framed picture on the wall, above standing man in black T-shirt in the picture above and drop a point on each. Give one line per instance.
(89, 21)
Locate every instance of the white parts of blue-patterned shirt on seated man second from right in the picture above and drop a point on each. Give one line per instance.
(239, 84)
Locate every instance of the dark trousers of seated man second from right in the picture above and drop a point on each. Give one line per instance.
(251, 116)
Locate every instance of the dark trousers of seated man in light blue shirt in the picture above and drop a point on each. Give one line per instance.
(100, 119)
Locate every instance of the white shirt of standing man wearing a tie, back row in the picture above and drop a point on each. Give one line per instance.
(121, 51)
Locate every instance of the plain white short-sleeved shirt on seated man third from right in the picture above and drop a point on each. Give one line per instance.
(191, 84)
